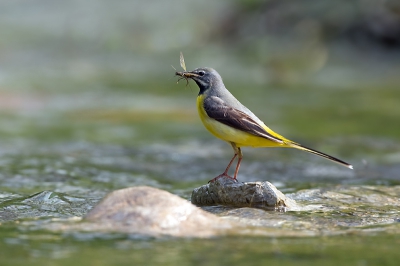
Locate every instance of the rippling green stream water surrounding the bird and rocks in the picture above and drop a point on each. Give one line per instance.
(80, 118)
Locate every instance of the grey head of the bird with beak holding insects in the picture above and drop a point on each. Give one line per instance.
(205, 77)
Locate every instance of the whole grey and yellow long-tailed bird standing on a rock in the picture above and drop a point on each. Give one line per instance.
(227, 119)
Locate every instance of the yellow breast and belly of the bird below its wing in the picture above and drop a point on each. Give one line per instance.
(230, 134)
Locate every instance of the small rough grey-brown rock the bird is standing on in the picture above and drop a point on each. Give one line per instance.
(225, 191)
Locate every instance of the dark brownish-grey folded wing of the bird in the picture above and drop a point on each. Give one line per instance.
(218, 110)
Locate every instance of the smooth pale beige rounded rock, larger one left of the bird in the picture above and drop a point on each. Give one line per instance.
(154, 212)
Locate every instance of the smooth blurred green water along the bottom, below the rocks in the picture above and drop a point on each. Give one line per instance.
(42, 248)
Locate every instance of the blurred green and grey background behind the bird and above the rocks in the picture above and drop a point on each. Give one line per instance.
(89, 102)
